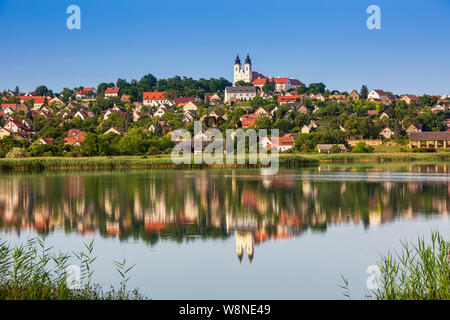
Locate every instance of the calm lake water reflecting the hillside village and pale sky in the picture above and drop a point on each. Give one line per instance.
(231, 234)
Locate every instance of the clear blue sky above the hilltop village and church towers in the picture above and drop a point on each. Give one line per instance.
(321, 40)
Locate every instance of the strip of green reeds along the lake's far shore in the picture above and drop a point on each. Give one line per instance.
(143, 162)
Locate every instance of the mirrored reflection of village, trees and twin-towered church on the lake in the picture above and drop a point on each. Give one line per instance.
(186, 205)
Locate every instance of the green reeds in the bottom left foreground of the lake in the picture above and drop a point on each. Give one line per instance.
(31, 271)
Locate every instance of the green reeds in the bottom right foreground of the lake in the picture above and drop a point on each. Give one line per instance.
(421, 271)
